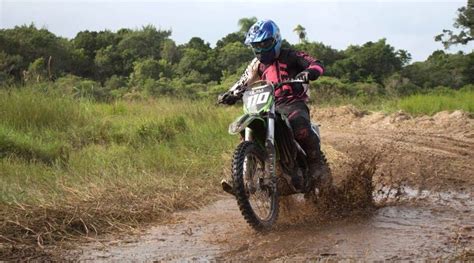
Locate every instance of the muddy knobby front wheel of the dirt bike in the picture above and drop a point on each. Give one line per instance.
(256, 196)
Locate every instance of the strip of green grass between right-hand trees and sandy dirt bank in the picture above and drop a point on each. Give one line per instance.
(331, 92)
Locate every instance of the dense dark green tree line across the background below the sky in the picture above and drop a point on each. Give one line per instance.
(148, 60)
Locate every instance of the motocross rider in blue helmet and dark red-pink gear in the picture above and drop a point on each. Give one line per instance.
(276, 64)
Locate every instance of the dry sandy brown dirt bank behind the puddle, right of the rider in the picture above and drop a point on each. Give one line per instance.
(435, 153)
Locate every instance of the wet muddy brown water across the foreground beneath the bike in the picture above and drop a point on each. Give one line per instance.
(409, 225)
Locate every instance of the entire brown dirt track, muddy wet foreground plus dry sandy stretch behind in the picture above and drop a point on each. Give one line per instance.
(429, 161)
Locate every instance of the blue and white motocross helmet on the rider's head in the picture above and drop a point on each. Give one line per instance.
(265, 39)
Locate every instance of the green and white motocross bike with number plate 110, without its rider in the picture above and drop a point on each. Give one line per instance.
(268, 157)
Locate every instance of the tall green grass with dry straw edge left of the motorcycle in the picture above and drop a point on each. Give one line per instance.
(83, 168)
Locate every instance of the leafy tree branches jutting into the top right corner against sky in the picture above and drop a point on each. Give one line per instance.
(464, 22)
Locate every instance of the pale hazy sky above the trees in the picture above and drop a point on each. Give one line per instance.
(409, 25)
